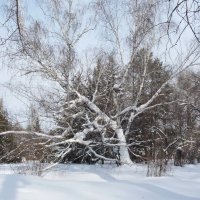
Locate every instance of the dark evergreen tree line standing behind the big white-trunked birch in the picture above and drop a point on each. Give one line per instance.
(170, 123)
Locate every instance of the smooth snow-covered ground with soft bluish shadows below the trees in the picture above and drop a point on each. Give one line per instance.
(82, 182)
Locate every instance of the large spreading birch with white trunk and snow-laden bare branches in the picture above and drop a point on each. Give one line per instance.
(90, 108)
